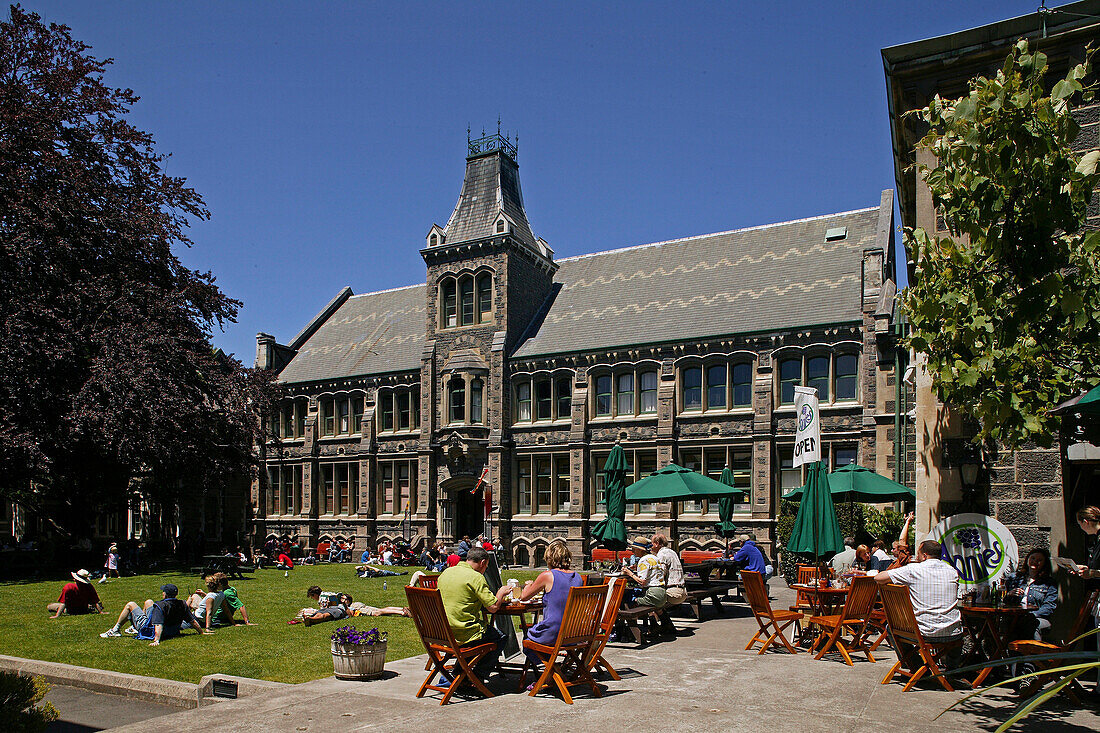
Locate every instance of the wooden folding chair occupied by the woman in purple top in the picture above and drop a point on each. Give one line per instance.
(566, 661)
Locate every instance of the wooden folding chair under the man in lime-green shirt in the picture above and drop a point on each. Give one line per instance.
(431, 619)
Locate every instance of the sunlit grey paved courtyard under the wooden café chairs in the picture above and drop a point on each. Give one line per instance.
(703, 681)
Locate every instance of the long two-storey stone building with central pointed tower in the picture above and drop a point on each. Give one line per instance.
(512, 365)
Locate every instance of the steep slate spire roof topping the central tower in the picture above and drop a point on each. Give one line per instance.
(491, 184)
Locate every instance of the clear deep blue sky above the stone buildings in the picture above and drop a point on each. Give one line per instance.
(327, 138)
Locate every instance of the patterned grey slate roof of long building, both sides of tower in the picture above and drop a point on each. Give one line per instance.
(764, 279)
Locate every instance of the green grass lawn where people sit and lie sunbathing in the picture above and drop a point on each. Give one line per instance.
(271, 651)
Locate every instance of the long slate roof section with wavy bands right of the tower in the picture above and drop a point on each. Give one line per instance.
(771, 278)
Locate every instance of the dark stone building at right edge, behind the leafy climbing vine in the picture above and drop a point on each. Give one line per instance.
(1033, 491)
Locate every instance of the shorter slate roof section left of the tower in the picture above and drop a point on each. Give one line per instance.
(371, 334)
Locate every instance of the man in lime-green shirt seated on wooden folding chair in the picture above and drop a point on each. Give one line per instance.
(466, 595)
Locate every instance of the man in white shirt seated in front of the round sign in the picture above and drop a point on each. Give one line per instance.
(934, 589)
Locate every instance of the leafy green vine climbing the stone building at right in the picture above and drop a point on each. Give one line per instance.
(1008, 309)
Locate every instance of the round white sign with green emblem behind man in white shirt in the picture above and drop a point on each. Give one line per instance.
(981, 549)
